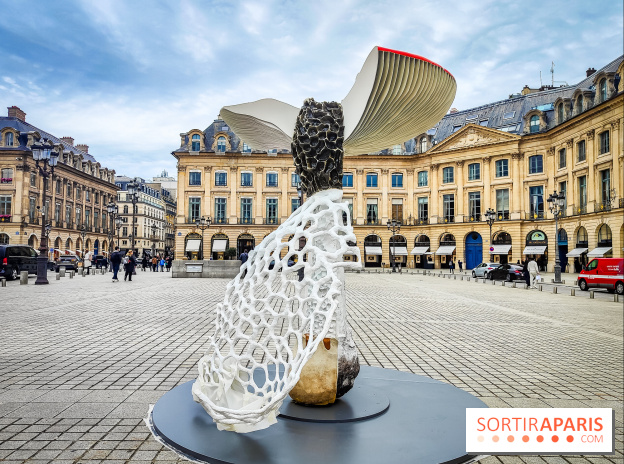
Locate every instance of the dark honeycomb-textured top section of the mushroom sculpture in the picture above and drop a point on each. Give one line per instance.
(317, 146)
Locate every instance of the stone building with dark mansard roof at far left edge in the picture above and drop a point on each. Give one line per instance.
(74, 197)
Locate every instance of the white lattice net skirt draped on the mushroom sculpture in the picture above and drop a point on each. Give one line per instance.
(268, 309)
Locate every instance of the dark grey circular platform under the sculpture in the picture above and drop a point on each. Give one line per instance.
(425, 423)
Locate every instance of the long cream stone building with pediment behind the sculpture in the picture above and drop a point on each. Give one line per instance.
(509, 156)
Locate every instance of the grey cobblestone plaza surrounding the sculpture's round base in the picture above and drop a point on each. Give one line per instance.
(82, 358)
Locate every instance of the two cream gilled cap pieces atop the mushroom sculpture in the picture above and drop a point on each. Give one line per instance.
(395, 96)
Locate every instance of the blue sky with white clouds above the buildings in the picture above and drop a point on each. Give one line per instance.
(126, 77)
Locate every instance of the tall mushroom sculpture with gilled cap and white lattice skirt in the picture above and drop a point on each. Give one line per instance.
(282, 327)
